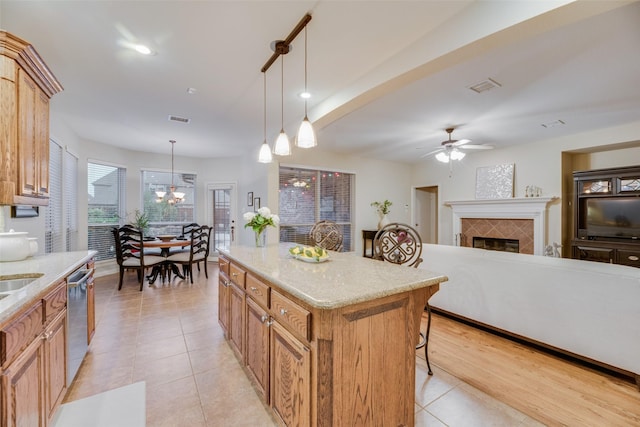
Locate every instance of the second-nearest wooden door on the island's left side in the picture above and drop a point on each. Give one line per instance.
(257, 347)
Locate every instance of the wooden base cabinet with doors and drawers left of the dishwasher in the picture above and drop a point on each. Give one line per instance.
(34, 347)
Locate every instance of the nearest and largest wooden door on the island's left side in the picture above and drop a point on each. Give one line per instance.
(290, 378)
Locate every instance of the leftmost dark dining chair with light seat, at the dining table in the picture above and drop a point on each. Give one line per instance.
(130, 252)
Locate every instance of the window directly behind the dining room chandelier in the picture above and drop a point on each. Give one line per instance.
(166, 218)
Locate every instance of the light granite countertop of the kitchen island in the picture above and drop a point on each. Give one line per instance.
(344, 279)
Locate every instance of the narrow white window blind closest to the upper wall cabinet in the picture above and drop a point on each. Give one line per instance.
(53, 237)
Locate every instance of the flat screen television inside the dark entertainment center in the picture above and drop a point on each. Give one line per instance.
(616, 217)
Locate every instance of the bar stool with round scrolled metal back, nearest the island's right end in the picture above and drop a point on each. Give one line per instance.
(401, 244)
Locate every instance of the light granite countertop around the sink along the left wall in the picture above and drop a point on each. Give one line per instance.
(53, 267)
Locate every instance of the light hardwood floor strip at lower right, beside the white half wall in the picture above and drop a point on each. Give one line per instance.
(545, 387)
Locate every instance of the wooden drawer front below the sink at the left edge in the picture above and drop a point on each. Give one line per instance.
(19, 333)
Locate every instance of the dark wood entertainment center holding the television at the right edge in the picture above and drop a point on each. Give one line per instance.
(607, 216)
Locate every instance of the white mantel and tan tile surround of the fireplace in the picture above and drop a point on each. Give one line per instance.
(522, 219)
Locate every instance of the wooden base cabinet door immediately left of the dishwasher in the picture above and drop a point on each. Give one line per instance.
(55, 362)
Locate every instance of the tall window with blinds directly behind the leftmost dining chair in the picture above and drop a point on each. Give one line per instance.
(106, 209)
